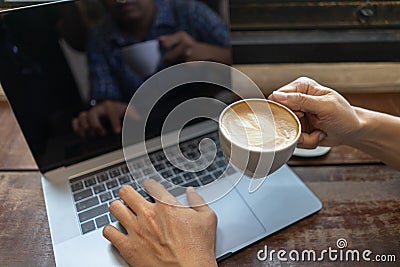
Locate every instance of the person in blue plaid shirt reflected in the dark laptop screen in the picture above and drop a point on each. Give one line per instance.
(187, 30)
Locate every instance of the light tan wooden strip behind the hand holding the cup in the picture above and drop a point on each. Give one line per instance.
(344, 77)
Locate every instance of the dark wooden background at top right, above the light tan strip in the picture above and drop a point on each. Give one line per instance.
(265, 31)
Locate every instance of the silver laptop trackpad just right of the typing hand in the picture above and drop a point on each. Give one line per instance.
(237, 225)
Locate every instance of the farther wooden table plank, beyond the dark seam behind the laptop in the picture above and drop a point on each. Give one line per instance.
(14, 153)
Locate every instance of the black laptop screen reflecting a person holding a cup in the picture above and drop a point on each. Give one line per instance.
(69, 70)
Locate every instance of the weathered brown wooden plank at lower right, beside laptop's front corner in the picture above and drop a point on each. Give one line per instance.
(360, 204)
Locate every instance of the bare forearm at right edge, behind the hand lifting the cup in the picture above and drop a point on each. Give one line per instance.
(379, 136)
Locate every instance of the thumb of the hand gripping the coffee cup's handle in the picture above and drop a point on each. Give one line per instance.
(298, 101)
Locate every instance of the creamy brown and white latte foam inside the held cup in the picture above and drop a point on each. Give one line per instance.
(259, 125)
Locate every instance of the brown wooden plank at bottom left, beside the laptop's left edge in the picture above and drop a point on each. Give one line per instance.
(24, 232)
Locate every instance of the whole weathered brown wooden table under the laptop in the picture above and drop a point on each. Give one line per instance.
(360, 196)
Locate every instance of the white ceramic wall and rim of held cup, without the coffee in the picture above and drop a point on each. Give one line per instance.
(260, 162)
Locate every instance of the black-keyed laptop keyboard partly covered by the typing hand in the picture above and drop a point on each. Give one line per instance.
(93, 193)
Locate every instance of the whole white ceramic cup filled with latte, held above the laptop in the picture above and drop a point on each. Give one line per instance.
(258, 136)
